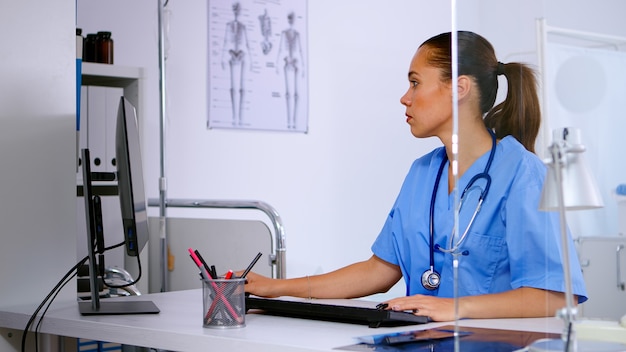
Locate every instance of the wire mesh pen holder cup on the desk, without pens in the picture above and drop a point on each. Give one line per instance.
(223, 302)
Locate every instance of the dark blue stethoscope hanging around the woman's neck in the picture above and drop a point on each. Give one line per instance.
(431, 278)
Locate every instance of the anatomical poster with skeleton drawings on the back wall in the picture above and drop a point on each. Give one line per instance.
(257, 65)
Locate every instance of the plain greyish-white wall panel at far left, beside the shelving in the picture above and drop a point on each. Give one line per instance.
(37, 152)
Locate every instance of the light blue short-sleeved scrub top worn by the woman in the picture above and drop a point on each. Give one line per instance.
(511, 243)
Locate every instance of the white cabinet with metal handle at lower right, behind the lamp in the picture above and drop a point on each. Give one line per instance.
(603, 261)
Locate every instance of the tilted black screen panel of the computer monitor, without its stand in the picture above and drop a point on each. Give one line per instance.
(130, 179)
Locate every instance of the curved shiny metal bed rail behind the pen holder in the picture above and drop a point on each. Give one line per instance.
(278, 247)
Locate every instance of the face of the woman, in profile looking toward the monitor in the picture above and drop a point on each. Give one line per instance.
(428, 100)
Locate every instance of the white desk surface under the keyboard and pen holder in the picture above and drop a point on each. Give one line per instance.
(178, 327)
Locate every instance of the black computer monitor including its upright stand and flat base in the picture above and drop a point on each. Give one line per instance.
(133, 206)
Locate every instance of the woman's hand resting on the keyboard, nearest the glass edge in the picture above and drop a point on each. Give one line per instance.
(437, 308)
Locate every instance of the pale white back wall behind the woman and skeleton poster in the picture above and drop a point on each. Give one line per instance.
(334, 185)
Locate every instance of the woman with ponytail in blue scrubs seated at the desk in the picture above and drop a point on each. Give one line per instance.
(508, 250)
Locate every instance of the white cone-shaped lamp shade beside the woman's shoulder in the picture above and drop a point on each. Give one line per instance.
(580, 190)
